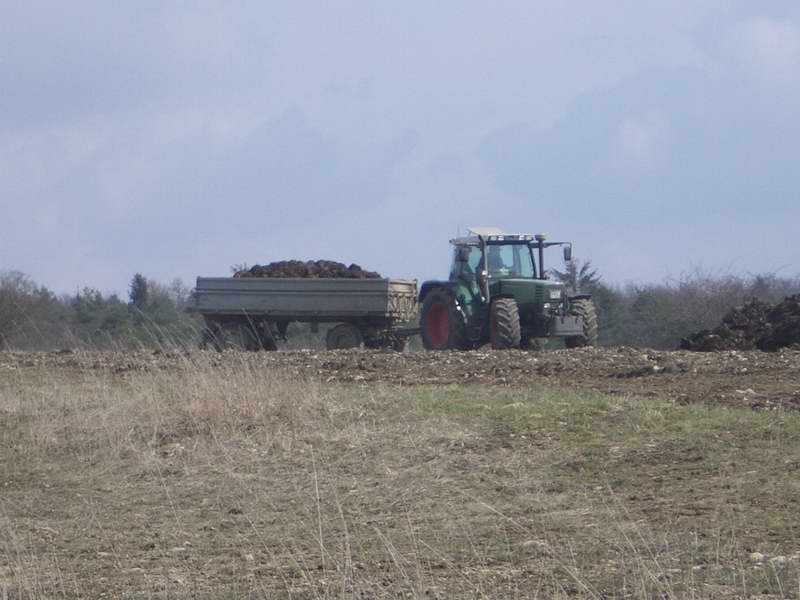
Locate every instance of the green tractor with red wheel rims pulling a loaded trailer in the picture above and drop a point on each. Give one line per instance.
(498, 292)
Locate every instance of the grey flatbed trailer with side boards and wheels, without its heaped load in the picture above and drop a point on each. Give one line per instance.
(254, 312)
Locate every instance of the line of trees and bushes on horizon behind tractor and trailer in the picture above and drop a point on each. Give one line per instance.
(153, 315)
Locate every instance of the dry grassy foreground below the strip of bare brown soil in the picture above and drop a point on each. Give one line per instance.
(234, 483)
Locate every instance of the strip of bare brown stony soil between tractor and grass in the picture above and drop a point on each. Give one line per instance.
(753, 379)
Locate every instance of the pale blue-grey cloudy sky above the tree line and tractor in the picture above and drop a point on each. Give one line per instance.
(177, 139)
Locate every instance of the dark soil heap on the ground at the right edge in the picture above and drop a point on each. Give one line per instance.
(754, 326)
